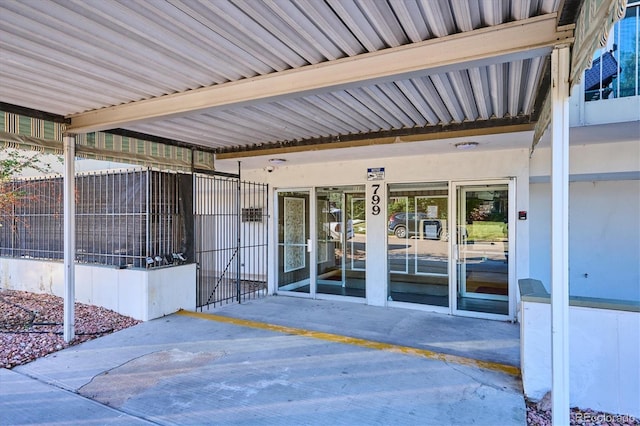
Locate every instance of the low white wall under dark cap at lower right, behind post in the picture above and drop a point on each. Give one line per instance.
(604, 357)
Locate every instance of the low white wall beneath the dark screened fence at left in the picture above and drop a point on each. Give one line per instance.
(138, 293)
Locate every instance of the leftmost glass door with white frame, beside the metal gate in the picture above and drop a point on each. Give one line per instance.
(293, 240)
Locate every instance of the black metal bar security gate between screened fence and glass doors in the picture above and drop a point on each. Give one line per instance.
(231, 238)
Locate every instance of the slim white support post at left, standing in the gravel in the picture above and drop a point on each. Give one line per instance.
(69, 216)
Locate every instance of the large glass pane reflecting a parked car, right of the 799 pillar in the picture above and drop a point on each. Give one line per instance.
(418, 247)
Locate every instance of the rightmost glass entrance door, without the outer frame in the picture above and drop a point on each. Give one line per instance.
(481, 248)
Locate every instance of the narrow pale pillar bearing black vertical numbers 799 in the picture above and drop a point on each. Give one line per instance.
(376, 215)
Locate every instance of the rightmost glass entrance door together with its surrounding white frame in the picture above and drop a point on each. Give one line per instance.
(489, 257)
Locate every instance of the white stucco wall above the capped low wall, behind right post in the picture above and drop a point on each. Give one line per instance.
(604, 229)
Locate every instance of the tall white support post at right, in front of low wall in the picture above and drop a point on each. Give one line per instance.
(560, 60)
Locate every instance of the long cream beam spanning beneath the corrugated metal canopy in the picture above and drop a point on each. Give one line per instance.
(501, 43)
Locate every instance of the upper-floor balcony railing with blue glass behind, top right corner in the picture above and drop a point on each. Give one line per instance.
(615, 72)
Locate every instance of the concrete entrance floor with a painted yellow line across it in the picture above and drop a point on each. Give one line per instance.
(279, 361)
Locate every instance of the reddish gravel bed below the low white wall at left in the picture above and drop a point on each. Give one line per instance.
(31, 325)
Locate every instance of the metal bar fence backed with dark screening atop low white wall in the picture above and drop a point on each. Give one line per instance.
(133, 218)
